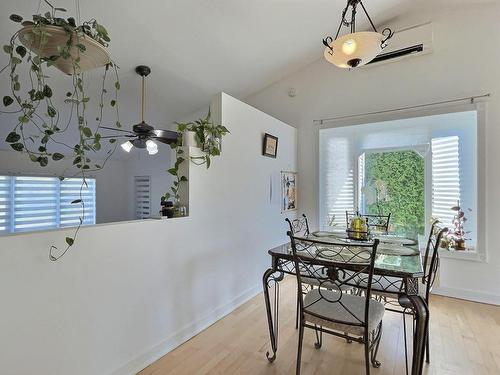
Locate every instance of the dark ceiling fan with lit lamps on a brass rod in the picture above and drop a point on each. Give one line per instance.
(144, 135)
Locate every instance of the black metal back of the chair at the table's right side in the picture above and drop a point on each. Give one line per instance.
(431, 265)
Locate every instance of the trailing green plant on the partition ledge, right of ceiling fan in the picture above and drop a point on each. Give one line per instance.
(208, 137)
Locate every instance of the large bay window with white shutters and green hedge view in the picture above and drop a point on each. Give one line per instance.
(424, 165)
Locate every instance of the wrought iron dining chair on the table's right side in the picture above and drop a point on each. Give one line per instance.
(390, 289)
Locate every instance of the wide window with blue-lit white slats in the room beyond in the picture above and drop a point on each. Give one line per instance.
(29, 203)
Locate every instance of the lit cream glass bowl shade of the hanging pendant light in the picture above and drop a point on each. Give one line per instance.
(353, 50)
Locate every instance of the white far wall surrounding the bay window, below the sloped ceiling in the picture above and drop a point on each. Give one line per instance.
(465, 62)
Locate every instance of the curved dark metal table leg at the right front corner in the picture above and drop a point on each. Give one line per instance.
(421, 312)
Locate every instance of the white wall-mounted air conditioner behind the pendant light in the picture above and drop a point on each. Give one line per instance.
(410, 41)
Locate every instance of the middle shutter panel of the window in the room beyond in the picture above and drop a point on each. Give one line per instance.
(36, 201)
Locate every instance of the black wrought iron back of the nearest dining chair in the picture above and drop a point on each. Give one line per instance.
(334, 266)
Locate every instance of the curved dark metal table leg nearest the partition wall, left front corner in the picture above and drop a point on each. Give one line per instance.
(271, 276)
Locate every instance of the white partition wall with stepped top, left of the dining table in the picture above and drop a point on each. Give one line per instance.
(129, 292)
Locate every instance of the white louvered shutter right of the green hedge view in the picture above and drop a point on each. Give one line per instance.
(445, 177)
